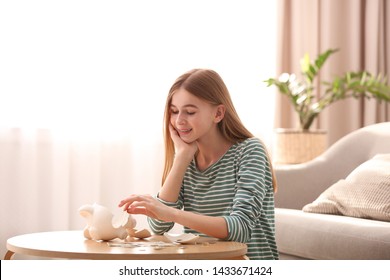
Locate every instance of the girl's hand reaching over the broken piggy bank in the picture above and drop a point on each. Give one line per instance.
(147, 205)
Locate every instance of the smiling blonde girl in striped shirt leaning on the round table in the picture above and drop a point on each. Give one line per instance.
(218, 179)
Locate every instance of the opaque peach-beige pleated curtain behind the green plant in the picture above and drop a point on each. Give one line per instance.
(360, 29)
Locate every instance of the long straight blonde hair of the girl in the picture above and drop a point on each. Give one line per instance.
(207, 85)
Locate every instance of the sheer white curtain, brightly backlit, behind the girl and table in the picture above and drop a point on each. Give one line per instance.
(82, 93)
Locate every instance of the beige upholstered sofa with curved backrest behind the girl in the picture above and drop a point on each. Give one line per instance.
(311, 234)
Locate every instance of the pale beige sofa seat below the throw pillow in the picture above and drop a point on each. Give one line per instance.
(331, 237)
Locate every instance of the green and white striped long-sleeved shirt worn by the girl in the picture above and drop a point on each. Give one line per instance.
(238, 187)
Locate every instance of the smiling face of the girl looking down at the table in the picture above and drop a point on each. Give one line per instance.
(192, 117)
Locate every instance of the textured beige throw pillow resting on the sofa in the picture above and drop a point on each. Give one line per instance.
(365, 193)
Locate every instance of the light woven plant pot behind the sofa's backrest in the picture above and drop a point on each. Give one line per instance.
(292, 146)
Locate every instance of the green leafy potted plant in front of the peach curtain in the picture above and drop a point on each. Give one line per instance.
(308, 104)
